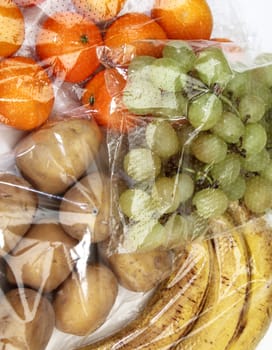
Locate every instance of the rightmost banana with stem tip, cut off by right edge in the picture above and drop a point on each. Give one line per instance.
(258, 312)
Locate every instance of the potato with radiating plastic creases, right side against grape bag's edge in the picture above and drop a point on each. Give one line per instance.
(85, 208)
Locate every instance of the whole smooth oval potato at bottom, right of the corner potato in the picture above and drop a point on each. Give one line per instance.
(85, 299)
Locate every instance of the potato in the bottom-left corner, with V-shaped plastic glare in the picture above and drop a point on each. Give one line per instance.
(26, 320)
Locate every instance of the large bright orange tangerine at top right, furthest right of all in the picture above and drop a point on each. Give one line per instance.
(184, 19)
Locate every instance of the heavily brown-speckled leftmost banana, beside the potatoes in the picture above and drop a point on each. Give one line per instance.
(172, 309)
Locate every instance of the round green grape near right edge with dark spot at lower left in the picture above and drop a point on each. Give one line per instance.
(251, 108)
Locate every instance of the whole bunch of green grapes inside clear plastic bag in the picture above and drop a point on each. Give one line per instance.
(208, 123)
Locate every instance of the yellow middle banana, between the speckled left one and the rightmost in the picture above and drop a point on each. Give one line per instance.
(227, 293)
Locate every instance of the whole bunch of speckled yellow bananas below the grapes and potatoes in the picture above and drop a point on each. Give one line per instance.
(218, 297)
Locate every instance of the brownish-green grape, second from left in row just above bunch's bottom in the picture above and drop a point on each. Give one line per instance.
(165, 195)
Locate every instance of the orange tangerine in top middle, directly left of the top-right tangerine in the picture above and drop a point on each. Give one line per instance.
(138, 30)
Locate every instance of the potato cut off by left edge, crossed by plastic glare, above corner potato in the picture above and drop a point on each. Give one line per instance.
(18, 204)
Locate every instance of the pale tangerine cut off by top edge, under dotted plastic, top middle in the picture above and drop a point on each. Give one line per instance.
(99, 10)
